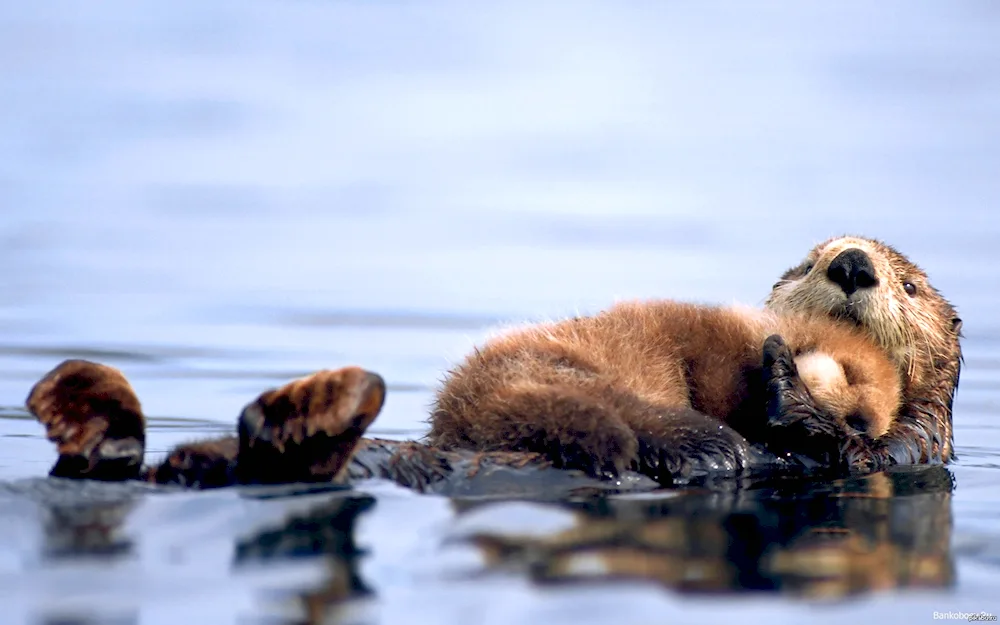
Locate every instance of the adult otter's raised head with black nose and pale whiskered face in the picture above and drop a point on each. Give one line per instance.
(871, 285)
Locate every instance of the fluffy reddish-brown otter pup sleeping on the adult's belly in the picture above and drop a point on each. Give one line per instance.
(590, 392)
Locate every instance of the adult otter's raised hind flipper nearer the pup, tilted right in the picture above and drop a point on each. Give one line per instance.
(307, 430)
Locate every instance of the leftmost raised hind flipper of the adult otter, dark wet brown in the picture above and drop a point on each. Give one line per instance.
(92, 414)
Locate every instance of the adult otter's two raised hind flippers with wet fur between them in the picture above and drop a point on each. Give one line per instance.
(304, 431)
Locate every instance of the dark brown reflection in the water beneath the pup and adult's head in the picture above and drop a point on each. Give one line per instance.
(821, 539)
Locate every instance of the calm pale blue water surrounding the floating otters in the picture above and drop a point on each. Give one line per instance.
(218, 196)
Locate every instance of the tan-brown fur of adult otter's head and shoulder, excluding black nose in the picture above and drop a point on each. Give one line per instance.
(920, 332)
